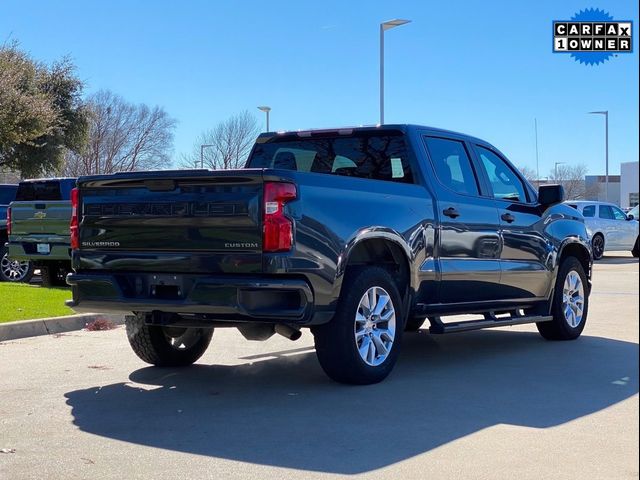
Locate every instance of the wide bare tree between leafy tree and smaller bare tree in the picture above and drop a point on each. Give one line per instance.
(123, 137)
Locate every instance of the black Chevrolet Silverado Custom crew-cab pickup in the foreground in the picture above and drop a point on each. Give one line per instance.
(360, 234)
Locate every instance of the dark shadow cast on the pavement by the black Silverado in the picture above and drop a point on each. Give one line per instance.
(284, 412)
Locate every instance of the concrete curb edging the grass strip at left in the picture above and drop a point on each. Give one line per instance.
(48, 326)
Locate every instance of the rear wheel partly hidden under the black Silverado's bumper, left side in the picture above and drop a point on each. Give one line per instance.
(167, 346)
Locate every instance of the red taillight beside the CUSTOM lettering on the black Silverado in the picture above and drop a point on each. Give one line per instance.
(277, 228)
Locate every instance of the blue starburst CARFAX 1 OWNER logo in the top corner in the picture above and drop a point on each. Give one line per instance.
(592, 36)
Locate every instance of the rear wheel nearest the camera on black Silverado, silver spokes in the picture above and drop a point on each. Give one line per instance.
(361, 343)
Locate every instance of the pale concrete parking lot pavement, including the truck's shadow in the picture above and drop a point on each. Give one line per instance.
(486, 405)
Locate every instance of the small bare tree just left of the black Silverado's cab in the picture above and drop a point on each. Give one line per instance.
(228, 144)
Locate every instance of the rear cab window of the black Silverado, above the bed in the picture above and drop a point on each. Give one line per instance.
(377, 155)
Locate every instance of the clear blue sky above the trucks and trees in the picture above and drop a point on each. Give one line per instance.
(483, 68)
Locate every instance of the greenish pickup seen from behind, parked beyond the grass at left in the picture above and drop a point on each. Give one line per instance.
(39, 232)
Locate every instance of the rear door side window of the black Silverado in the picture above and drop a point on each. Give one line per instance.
(452, 164)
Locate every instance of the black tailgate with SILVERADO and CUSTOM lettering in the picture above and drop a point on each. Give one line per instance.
(172, 221)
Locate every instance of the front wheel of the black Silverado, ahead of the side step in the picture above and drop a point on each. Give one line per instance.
(570, 303)
